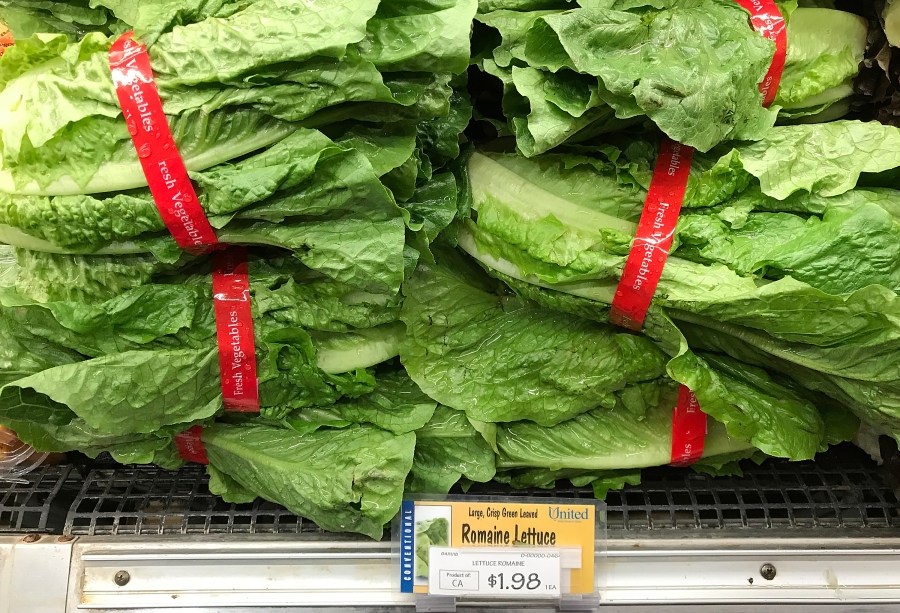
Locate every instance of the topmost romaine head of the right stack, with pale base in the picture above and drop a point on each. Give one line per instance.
(570, 72)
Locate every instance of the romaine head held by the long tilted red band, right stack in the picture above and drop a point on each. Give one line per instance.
(809, 280)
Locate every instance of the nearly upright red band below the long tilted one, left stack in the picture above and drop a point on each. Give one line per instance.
(234, 330)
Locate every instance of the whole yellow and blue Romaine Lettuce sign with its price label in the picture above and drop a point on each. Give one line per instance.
(514, 548)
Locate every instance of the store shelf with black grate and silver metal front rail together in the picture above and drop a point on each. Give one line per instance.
(107, 538)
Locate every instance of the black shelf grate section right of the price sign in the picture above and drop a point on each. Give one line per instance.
(844, 493)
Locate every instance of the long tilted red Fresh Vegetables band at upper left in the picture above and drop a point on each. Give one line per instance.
(166, 173)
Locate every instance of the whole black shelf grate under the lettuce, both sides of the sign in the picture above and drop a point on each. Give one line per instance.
(842, 489)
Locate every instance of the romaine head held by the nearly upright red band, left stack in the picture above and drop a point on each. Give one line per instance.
(148, 358)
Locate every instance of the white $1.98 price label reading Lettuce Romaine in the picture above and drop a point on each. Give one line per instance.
(515, 573)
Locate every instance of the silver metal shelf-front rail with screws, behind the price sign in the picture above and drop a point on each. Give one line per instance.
(272, 573)
